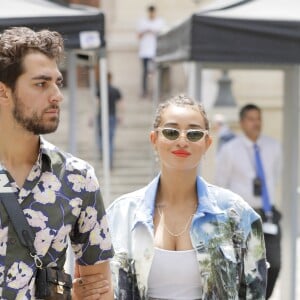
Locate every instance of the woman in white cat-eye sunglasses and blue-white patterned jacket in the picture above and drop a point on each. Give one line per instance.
(181, 237)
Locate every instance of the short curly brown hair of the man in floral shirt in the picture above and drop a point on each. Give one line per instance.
(17, 42)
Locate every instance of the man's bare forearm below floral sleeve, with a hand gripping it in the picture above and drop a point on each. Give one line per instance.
(92, 282)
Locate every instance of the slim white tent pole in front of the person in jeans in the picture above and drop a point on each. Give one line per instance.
(105, 126)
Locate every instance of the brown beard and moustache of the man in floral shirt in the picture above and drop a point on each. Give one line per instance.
(34, 123)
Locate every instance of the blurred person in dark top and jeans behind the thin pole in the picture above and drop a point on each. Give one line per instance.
(114, 106)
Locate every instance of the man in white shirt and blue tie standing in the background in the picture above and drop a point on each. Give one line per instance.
(250, 165)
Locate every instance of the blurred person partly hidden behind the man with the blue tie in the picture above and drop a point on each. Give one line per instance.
(225, 134)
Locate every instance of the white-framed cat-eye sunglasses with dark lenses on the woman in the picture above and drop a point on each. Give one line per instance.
(172, 134)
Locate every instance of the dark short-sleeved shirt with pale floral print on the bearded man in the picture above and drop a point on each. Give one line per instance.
(60, 198)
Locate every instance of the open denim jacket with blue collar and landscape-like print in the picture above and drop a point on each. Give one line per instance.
(225, 232)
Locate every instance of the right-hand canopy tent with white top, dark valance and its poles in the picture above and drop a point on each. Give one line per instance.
(257, 34)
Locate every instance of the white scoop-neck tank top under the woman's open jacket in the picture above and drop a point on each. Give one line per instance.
(174, 275)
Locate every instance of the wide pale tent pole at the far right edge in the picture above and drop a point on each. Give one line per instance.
(290, 182)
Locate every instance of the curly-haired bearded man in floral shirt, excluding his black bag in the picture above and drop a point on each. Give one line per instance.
(58, 193)
